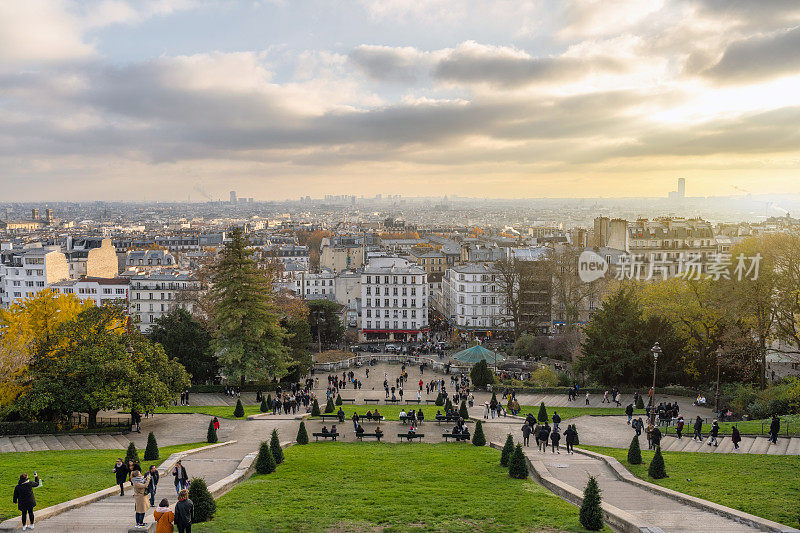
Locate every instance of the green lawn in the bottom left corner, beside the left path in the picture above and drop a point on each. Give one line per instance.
(66, 474)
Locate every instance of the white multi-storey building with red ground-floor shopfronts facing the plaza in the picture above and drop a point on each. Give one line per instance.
(394, 300)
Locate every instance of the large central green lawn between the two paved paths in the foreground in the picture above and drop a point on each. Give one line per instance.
(429, 487)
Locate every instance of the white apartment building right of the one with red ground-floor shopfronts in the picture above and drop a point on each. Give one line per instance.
(471, 298)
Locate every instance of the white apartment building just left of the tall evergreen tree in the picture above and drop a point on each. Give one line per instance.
(155, 294)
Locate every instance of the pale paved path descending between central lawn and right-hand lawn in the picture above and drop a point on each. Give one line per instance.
(653, 509)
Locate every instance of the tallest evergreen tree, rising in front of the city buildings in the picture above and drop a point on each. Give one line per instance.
(248, 337)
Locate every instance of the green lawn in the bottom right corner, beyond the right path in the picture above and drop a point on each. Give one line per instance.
(763, 485)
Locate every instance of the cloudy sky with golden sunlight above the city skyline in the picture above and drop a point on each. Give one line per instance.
(155, 99)
